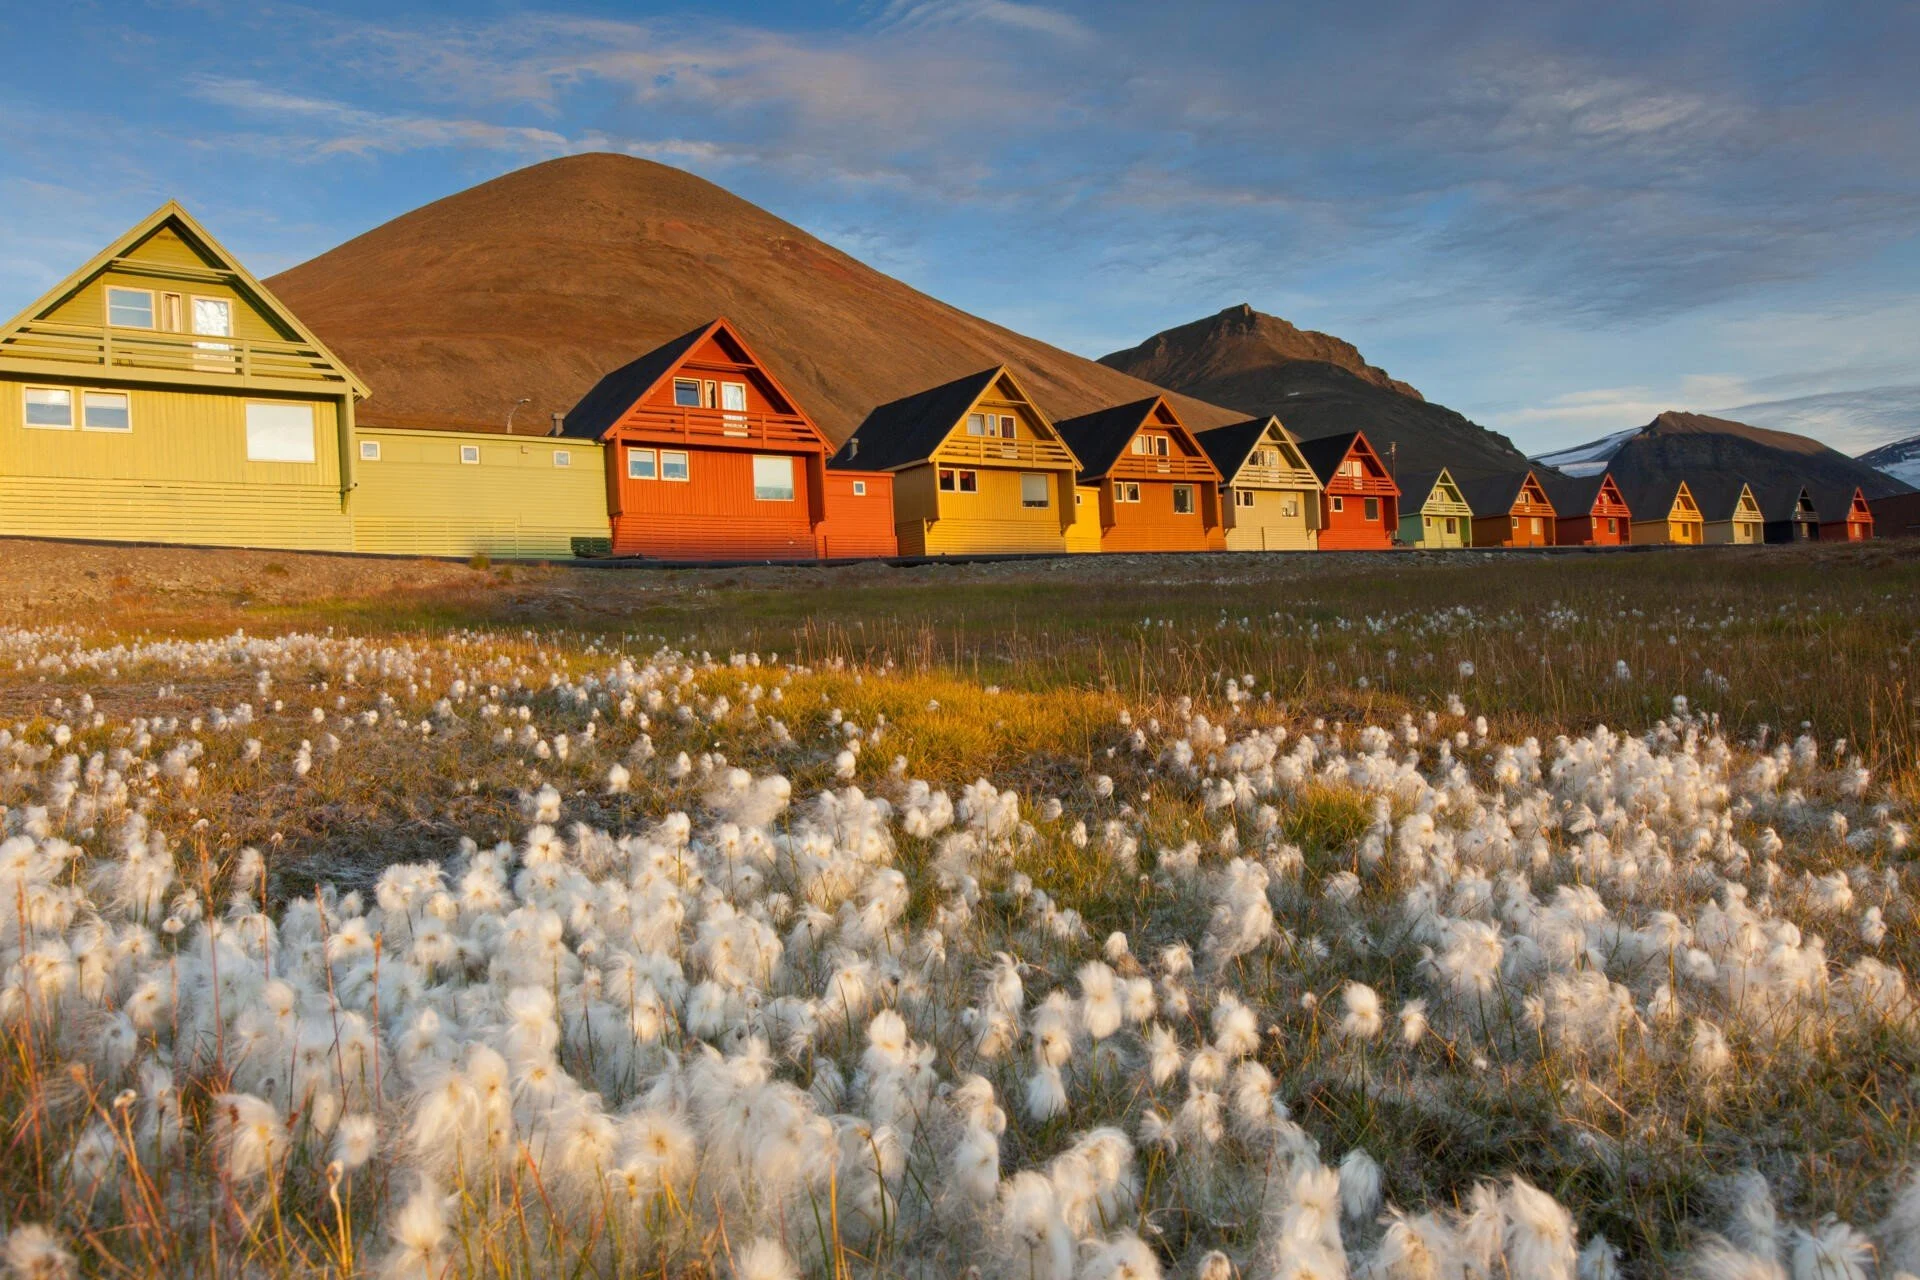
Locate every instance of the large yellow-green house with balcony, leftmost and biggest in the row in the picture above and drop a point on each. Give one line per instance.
(162, 394)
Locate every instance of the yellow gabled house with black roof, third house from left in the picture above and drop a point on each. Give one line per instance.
(976, 469)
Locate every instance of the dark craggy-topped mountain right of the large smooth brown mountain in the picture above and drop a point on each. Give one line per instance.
(1318, 387)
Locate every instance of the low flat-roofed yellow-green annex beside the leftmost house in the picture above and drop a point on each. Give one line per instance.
(418, 498)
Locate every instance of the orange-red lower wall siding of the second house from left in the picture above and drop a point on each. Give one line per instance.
(713, 515)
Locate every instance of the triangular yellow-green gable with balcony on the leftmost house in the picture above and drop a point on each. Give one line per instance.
(166, 304)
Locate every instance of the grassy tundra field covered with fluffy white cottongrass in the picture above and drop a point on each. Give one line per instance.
(1176, 916)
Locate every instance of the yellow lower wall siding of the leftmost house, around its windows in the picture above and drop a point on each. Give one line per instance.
(180, 475)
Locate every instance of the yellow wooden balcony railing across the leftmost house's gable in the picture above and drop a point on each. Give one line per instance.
(156, 352)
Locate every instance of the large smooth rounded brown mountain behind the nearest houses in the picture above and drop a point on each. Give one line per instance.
(535, 285)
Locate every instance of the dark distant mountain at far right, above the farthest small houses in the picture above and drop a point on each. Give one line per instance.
(1694, 444)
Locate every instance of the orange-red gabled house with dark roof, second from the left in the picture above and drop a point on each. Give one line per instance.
(708, 456)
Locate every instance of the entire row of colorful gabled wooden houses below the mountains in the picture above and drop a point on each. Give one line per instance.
(162, 394)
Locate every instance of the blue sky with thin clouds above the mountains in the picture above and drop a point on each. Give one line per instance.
(1558, 218)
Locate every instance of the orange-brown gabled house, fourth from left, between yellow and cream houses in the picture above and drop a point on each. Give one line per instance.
(1157, 486)
